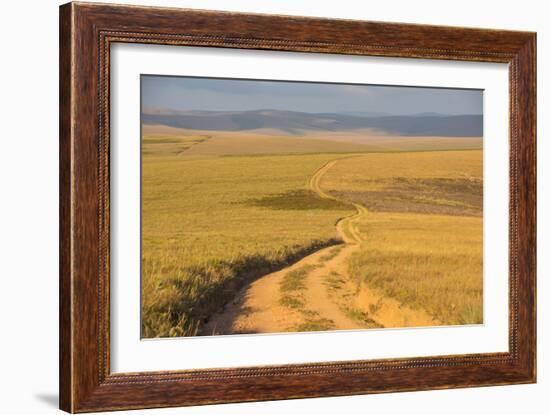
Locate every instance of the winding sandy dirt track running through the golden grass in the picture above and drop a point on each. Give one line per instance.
(325, 299)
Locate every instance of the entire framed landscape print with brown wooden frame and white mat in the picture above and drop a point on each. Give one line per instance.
(260, 207)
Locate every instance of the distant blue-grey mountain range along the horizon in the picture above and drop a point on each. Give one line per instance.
(299, 123)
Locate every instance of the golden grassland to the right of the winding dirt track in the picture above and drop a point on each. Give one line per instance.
(424, 233)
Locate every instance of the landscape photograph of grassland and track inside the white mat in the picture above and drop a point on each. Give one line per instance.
(273, 206)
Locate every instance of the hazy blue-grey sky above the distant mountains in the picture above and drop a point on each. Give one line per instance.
(208, 94)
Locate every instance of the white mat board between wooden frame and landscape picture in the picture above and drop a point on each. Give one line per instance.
(129, 354)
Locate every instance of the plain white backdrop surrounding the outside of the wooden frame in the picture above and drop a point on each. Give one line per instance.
(29, 208)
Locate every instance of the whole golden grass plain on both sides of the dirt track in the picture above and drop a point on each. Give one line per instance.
(222, 210)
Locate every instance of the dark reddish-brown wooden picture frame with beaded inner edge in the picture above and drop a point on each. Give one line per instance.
(86, 33)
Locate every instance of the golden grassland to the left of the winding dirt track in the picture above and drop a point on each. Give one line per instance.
(205, 230)
